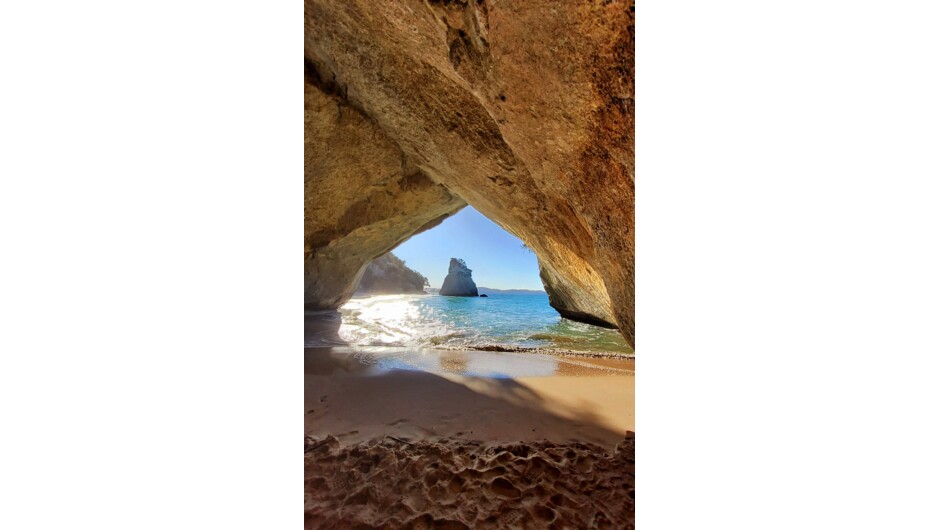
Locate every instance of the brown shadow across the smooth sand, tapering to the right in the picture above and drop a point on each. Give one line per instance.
(346, 398)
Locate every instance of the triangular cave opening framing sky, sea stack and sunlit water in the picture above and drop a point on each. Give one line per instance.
(500, 304)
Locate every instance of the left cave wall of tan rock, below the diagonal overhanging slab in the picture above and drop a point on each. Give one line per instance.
(360, 197)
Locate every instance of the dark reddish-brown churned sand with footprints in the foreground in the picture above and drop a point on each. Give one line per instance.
(464, 484)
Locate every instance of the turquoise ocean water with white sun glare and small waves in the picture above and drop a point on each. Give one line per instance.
(503, 321)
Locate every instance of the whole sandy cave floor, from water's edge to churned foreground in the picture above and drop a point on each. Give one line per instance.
(407, 439)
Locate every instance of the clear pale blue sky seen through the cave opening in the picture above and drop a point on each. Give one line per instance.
(495, 256)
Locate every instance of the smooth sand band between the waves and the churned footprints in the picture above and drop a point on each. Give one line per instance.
(359, 395)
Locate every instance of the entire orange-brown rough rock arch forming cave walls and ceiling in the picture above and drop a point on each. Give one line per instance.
(523, 109)
